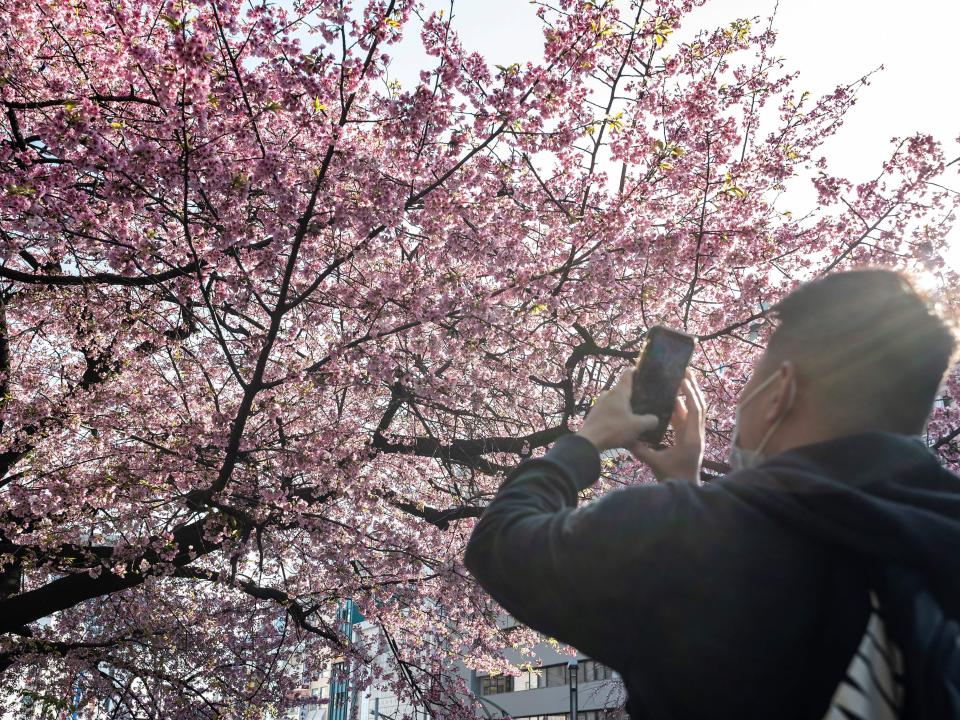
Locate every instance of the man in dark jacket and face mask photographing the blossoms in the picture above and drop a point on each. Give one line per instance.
(818, 579)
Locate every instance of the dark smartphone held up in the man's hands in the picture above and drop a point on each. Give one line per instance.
(656, 381)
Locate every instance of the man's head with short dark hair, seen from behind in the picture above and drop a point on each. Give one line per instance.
(852, 352)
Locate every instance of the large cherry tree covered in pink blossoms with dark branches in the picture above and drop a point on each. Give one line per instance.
(273, 325)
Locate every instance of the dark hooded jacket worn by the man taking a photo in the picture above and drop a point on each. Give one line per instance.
(743, 598)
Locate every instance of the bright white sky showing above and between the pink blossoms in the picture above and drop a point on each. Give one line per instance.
(828, 41)
